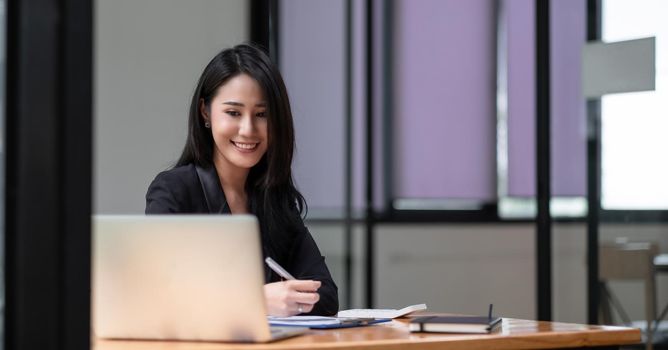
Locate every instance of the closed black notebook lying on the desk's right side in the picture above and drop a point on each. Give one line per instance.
(454, 324)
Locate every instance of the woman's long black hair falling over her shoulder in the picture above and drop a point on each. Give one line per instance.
(272, 195)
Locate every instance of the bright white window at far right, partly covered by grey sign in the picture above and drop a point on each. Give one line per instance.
(634, 125)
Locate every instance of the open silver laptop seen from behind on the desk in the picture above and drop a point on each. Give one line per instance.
(180, 277)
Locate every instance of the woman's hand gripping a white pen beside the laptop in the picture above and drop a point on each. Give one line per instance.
(293, 297)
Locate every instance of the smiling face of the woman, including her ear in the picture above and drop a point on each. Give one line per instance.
(238, 123)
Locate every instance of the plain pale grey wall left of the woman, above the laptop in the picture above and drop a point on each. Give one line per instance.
(148, 56)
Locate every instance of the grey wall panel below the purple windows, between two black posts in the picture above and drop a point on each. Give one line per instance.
(457, 268)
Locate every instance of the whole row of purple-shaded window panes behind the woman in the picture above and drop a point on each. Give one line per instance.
(438, 144)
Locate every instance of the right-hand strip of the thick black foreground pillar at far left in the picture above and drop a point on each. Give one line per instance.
(76, 170)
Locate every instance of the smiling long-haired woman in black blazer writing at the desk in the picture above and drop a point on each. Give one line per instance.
(236, 160)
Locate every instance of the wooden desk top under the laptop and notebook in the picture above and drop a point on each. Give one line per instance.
(513, 334)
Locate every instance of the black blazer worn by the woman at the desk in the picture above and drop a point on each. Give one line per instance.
(190, 189)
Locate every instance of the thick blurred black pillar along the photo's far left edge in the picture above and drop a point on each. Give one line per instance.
(48, 174)
